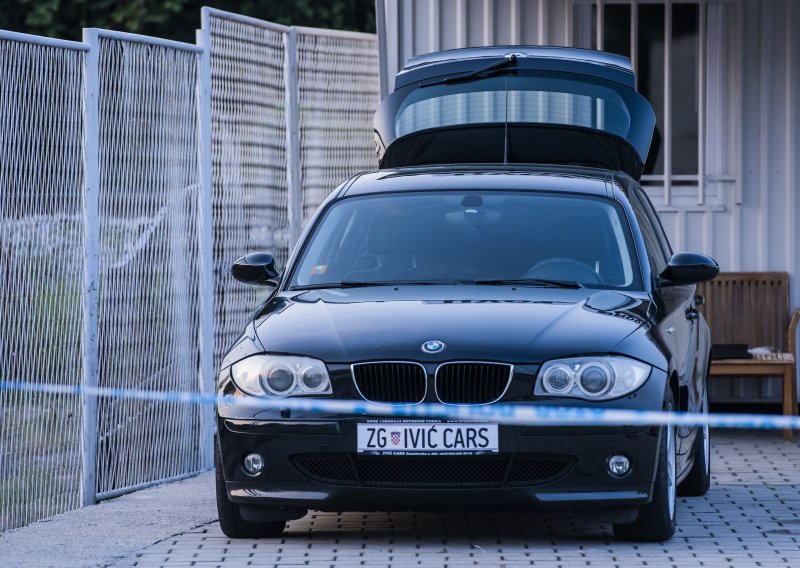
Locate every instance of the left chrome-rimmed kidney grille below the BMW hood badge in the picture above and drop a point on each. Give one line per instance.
(390, 381)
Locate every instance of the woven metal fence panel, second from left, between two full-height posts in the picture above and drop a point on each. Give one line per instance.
(148, 314)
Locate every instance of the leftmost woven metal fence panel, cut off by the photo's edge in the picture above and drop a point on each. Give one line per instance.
(41, 274)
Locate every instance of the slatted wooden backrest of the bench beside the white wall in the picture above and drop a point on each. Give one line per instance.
(748, 307)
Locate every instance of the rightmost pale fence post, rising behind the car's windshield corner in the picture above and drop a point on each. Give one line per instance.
(292, 136)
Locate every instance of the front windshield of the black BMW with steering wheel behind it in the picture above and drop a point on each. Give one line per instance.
(469, 237)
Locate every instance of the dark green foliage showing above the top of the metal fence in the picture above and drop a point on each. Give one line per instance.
(174, 19)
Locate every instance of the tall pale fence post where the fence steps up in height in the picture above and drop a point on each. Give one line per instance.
(206, 243)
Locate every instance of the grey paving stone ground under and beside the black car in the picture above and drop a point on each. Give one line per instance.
(750, 517)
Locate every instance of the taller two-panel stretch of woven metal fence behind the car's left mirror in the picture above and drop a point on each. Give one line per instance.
(291, 112)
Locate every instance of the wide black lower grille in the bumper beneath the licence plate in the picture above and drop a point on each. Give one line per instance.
(497, 470)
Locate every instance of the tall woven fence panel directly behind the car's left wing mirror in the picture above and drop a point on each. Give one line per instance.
(249, 139)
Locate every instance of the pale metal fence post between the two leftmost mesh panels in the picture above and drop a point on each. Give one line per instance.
(91, 269)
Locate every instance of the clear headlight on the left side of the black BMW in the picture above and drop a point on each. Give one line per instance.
(279, 375)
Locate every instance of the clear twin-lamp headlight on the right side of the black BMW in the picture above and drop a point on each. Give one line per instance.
(591, 378)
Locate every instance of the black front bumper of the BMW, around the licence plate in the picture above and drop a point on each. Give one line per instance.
(312, 464)
